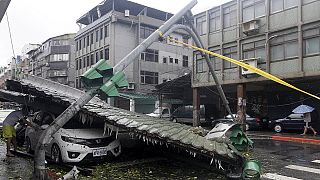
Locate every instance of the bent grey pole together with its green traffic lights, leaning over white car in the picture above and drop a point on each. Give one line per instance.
(109, 83)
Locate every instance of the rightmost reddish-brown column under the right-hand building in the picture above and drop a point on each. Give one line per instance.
(241, 106)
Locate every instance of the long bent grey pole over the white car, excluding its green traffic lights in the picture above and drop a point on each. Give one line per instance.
(40, 171)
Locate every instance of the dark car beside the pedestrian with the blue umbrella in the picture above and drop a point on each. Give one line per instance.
(291, 122)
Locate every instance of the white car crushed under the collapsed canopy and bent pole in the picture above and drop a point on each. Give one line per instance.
(74, 142)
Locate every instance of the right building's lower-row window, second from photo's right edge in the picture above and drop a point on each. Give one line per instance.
(284, 47)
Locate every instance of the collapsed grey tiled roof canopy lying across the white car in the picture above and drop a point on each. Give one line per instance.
(41, 93)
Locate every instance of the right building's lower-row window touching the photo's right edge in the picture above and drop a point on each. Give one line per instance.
(311, 42)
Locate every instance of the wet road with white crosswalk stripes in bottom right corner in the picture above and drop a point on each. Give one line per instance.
(288, 160)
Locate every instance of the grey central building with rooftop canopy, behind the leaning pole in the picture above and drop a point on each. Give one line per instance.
(114, 28)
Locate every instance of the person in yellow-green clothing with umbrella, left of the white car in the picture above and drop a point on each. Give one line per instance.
(9, 133)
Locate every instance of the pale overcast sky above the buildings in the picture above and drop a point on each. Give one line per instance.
(35, 21)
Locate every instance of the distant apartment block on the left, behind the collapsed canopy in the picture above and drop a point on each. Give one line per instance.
(54, 59)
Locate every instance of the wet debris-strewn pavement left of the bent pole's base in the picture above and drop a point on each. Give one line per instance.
(14, 167)
